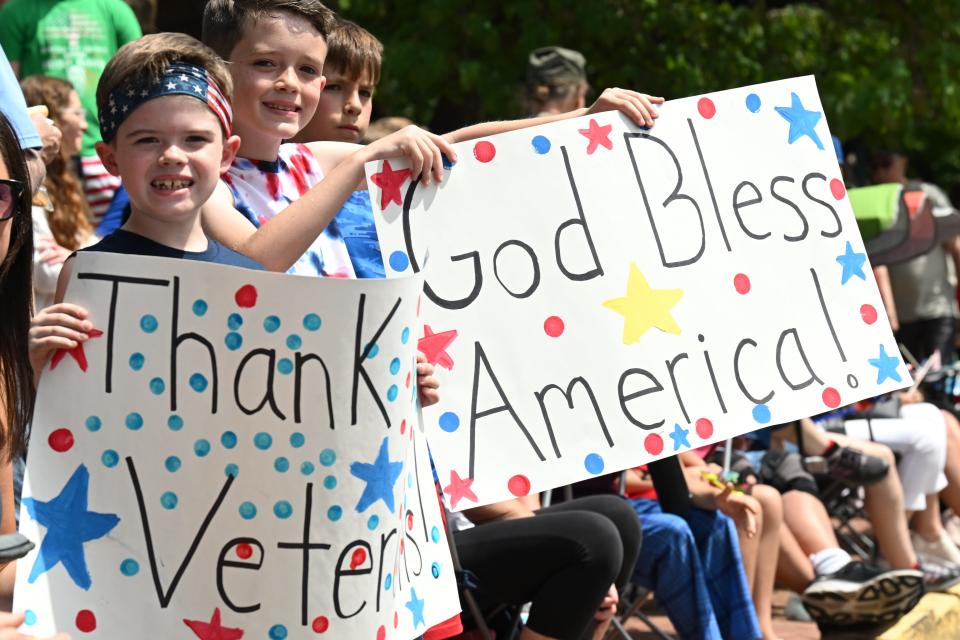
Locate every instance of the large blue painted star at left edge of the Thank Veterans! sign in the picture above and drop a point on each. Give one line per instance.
(69, 525)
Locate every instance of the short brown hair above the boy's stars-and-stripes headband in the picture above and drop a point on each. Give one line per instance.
(143, 61)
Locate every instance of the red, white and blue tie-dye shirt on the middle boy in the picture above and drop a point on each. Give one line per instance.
(263, 189)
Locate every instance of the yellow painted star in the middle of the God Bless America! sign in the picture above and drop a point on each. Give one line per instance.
(644, 308)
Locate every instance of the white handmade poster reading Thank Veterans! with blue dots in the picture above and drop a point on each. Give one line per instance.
(233, 455)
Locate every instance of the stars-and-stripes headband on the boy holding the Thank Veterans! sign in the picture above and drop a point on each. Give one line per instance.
(181, 78)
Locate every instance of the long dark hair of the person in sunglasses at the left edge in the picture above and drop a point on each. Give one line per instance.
(16, 307)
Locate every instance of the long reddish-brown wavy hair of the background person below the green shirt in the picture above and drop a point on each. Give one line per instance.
(69, 217)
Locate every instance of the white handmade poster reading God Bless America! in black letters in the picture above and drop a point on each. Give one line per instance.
(598, 296)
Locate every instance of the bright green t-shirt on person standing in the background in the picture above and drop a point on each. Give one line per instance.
(69, 39)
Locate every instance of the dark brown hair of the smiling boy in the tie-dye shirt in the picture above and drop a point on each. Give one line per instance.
(224, 21)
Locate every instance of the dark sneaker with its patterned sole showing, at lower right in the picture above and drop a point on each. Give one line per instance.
(861, 594)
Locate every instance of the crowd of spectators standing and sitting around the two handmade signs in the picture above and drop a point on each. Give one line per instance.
(117, 154)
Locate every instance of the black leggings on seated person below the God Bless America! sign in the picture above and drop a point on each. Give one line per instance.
(562, 561)
